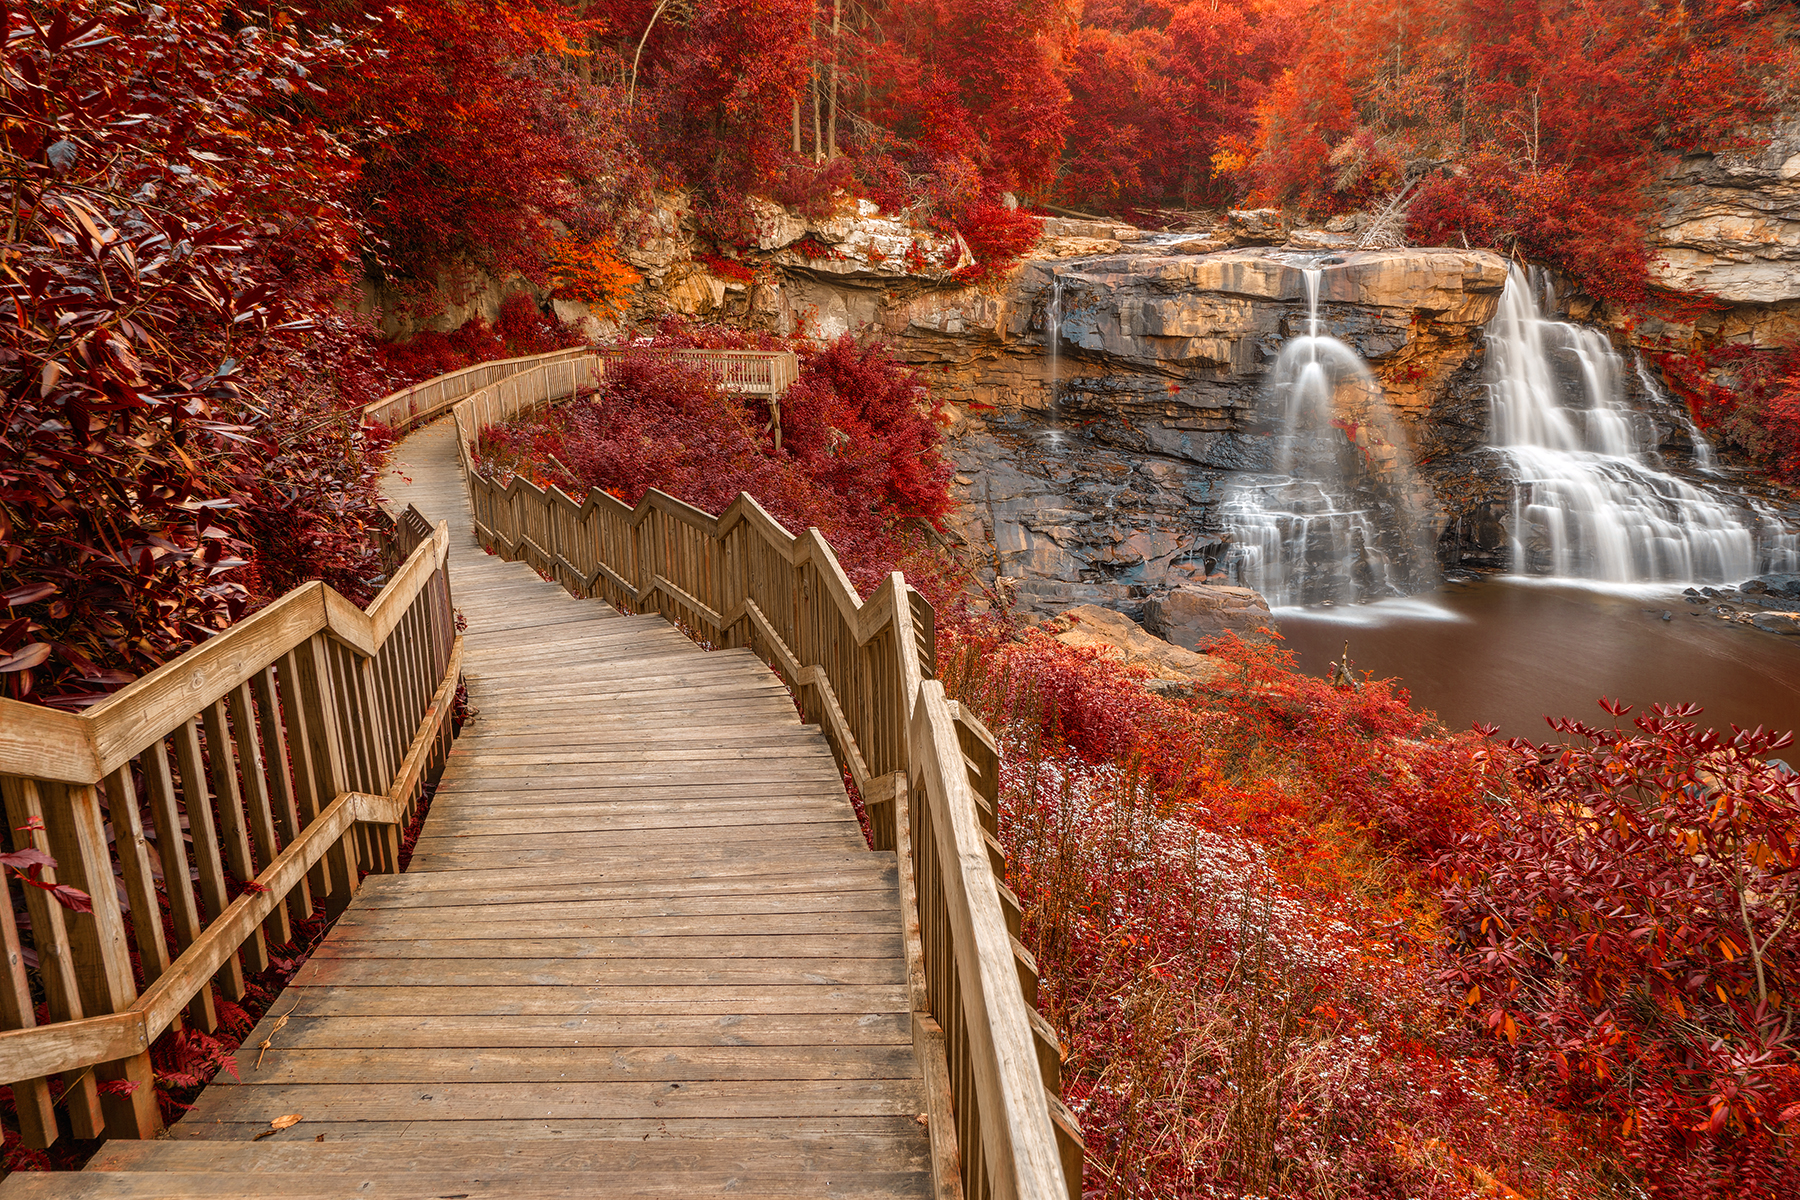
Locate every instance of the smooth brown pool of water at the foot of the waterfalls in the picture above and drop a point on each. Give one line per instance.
(1511, 652)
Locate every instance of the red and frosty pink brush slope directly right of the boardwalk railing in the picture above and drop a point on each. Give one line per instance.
(1237, 942)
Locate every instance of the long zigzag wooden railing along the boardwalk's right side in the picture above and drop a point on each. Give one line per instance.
(928, 771)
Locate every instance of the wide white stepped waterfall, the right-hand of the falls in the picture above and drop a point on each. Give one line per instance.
(1590, 503)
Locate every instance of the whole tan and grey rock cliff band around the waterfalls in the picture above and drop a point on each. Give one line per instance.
(1106, 393)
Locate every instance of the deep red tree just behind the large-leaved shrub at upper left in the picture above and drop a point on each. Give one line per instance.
(476, 138)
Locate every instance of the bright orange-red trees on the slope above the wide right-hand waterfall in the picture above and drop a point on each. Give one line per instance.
(1549, 116)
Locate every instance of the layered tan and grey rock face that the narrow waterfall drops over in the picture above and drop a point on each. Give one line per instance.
(1104, 481)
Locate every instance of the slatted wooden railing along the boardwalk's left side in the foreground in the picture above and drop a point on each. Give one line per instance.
(273, 764)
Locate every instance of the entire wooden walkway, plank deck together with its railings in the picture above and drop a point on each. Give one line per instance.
(643, 947)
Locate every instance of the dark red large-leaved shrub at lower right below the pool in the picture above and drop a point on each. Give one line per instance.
(1630, 933)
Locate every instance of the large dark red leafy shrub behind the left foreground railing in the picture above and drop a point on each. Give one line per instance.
(181, 229)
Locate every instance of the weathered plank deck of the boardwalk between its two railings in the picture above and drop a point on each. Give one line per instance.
(642, 947)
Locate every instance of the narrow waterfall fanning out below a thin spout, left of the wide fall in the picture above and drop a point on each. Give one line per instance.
(1340, 521)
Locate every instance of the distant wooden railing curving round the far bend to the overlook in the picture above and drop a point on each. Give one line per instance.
(757, 373)
